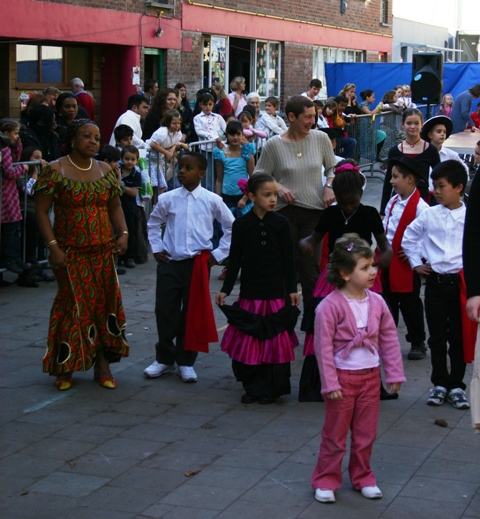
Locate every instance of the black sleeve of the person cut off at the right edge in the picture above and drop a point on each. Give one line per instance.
(471, 239)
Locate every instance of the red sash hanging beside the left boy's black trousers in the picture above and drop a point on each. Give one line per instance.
(200, 328)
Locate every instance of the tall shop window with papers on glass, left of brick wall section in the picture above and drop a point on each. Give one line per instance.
(267, 66)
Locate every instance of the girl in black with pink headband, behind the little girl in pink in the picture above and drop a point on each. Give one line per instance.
(348, 215)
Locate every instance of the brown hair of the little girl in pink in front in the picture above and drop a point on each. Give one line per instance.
(348, 249)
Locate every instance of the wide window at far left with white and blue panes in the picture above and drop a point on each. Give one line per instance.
(52, 65)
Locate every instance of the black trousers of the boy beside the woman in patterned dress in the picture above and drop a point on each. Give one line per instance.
(173, 287)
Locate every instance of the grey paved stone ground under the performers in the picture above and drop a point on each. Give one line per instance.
(94, 453)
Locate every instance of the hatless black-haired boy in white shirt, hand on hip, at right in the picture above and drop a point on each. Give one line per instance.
(433, 245)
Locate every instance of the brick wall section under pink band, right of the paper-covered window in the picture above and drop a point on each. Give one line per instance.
(296, 69)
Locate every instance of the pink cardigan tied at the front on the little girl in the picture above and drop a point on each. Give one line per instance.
(336, 333)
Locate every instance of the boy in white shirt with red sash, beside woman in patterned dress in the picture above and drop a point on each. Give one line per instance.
(183, 250)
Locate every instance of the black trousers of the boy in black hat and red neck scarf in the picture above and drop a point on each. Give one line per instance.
(411, 306)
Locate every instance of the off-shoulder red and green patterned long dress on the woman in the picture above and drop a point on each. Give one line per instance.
(87, 310)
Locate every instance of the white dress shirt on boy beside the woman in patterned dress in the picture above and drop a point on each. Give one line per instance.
(189, 216)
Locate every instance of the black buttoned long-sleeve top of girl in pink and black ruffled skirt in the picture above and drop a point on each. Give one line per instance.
(263, 249)
